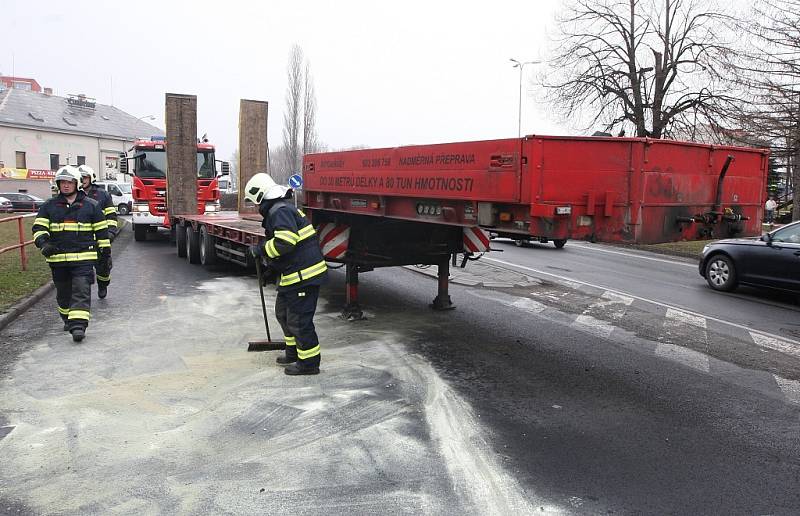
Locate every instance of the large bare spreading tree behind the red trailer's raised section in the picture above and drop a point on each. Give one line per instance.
(651, 65)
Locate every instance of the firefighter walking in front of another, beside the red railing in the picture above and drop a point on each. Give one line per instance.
(70, 230)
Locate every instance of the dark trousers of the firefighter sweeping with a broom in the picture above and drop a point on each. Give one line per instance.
(294, 310)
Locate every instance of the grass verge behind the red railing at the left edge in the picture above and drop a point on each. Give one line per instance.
(15, 283)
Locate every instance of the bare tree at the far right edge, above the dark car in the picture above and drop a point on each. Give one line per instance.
(769, 70)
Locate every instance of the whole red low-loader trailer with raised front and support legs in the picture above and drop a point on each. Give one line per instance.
(437, 204)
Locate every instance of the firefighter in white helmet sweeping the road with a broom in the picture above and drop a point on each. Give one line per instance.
(295, 261)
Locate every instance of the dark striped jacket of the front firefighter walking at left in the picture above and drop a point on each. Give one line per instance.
(78, 230)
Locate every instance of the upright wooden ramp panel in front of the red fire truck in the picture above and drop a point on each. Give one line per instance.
(181, 119)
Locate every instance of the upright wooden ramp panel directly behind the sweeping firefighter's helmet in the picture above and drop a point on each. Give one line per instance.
(253, 145)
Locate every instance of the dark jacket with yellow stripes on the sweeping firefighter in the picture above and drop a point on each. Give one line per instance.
(292, 246)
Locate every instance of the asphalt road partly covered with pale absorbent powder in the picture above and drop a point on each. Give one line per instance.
(538, 394)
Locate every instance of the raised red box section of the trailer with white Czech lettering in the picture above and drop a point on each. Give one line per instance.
(550, 187)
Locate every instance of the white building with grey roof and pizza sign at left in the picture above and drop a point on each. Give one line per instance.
(41, 132)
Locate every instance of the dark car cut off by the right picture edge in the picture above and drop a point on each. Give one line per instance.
(772, 261)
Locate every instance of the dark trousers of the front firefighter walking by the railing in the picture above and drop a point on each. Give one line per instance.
(74, 294)
